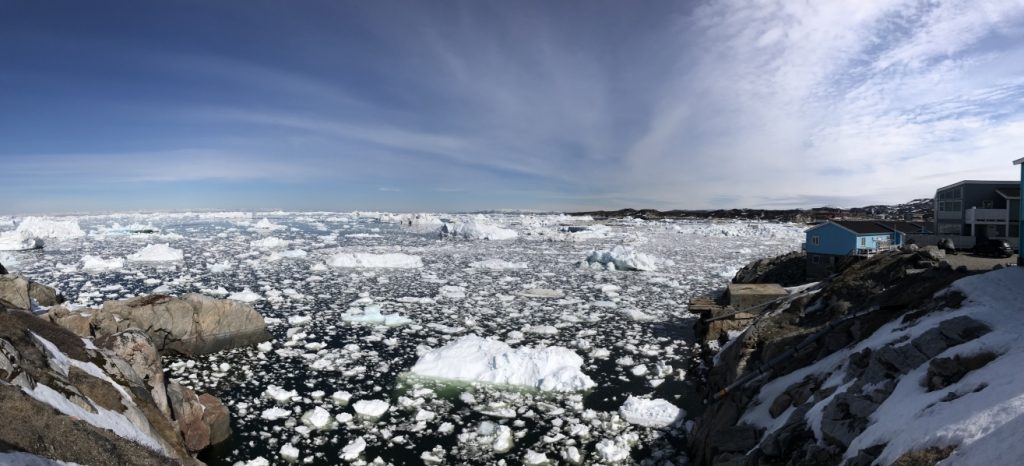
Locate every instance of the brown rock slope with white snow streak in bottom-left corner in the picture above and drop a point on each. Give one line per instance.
(67, 401)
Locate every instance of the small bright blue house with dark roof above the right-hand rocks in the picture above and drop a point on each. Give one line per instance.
(830, 242)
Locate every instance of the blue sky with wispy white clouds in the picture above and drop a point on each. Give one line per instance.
(448, 106)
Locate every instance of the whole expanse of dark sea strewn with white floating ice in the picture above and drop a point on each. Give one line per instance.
(425, 340)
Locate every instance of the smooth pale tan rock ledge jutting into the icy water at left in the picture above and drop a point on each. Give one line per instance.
(191, 325)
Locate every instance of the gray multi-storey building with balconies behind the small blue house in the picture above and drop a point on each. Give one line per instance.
(979, 209)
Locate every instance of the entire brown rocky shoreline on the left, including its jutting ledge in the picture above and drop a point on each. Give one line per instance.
(88, 387)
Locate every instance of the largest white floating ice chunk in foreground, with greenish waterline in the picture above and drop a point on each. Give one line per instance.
(485, 360)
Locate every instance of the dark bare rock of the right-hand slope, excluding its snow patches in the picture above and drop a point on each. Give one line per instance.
(844, 311)
